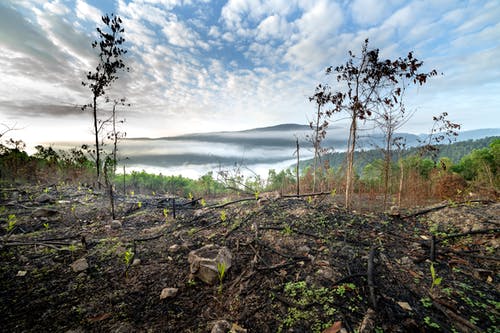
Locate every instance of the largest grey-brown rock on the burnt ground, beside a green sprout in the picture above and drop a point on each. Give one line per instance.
(204, 262)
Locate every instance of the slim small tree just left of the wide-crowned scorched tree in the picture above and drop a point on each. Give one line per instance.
(319, 125)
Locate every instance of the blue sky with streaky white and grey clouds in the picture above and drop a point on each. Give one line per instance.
(200, 65)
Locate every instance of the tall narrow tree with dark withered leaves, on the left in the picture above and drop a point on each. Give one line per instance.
(106, 72)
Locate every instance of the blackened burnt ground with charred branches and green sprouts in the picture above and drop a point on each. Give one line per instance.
(298, 265)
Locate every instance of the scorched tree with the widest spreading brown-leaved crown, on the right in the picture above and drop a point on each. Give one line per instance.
(370, 84)
